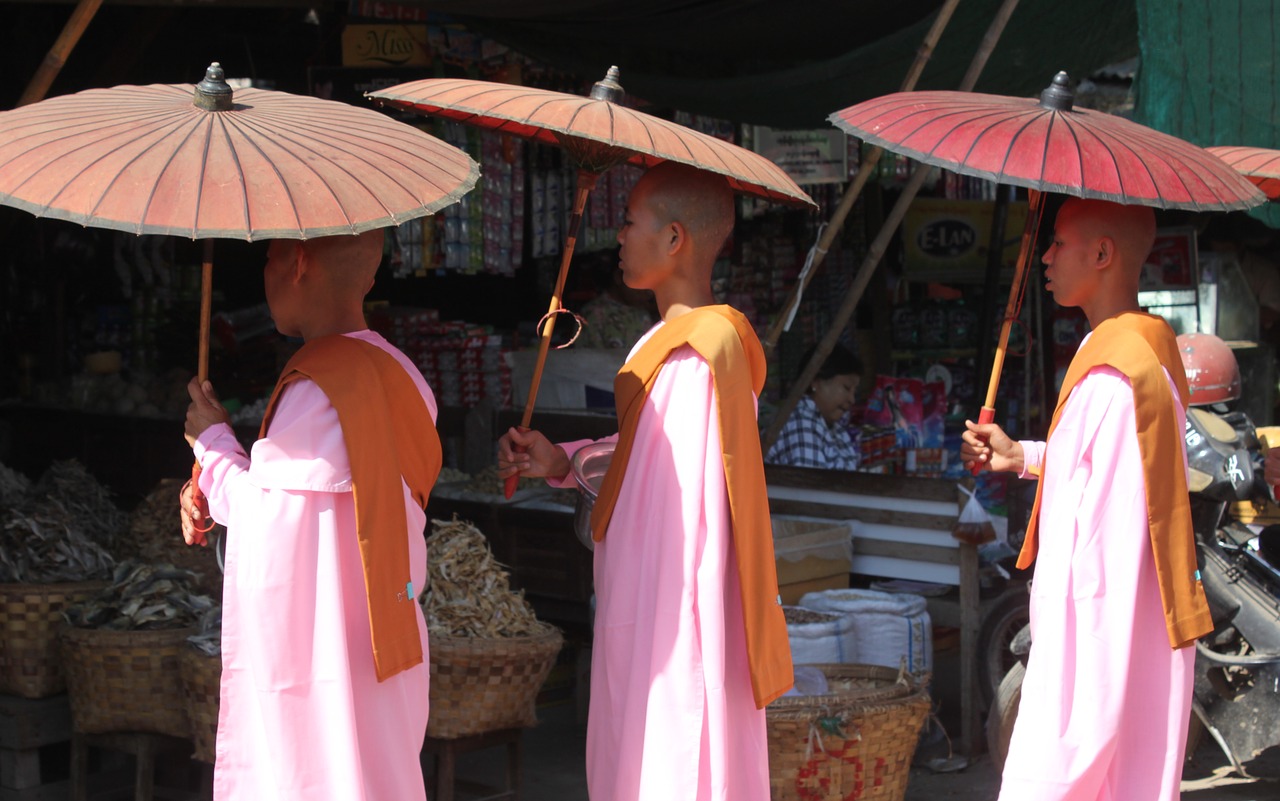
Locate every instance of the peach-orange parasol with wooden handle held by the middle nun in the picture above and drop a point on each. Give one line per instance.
(598, 134)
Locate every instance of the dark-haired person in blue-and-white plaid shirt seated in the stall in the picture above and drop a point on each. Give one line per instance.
(817, 433)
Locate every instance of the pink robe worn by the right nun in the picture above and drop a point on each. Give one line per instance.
(1105, 702)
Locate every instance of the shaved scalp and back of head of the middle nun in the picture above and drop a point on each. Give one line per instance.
(698, 200)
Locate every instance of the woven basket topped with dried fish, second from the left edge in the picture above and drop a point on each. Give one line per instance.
(122, 651)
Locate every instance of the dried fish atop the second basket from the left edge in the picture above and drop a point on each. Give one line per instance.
(143, 597)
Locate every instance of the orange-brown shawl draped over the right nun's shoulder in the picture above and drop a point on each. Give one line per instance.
(1139, 346)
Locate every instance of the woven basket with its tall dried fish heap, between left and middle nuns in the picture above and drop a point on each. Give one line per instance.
(490, 654)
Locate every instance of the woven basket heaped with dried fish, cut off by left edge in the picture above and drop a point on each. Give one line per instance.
(54, 539)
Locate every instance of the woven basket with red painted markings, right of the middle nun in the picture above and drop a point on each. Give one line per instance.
(856, 743)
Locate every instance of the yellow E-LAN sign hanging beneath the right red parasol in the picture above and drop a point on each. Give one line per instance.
(948, 240)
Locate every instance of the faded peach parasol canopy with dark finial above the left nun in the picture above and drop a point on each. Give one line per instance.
(196, 162)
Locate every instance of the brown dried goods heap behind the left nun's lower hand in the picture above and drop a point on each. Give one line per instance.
(156, 535)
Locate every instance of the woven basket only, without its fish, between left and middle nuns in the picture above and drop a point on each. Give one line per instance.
(488, 684)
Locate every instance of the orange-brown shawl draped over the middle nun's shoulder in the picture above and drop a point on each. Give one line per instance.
(724, 338)
